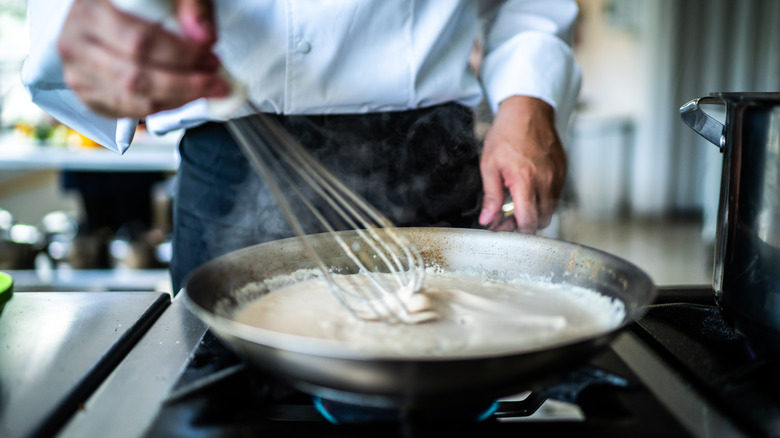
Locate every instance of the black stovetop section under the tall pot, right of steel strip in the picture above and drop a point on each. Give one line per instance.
(739, 377)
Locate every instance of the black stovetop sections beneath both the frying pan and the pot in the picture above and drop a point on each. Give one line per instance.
(219, 396)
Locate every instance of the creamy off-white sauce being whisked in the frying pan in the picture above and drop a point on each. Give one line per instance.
(476, 317)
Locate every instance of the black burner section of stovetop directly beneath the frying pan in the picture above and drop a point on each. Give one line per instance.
(218, 396)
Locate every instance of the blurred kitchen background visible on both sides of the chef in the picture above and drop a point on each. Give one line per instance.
(641, 185)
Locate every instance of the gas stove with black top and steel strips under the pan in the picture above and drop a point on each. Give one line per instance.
(679, 371)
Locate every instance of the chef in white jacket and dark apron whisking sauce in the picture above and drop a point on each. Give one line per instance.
(381, 91)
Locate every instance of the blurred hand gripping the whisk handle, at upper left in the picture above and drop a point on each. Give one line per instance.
(122, 66)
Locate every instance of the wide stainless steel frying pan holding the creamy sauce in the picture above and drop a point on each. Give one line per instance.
(332, 371)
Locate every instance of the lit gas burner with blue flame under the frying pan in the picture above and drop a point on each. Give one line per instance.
(348, 413)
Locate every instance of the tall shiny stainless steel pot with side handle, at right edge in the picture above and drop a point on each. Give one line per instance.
(747, 258)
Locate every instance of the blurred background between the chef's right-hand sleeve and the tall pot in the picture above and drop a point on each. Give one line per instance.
(646, 186)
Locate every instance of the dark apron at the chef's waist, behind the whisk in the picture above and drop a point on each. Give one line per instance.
(419, 167)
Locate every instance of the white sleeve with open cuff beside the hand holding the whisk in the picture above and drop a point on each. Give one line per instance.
(42, 76)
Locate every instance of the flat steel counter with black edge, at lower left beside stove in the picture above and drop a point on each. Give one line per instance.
(57, 347)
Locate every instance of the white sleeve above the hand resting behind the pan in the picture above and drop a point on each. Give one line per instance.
(527, 47)
